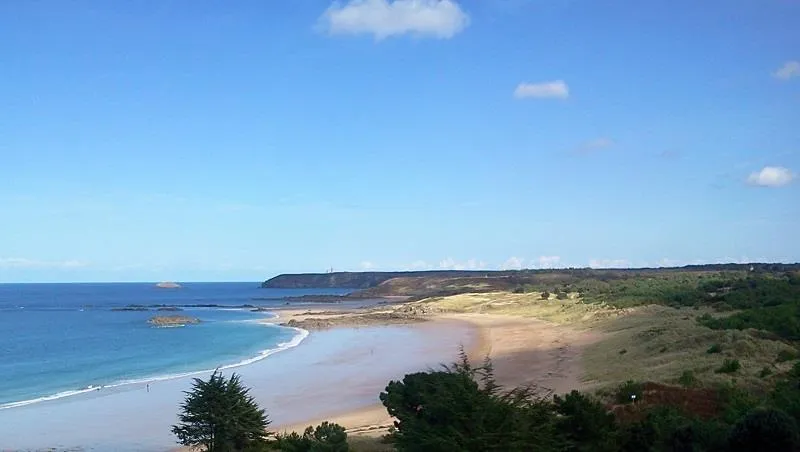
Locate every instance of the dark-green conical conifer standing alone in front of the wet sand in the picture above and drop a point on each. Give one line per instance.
(220, 415)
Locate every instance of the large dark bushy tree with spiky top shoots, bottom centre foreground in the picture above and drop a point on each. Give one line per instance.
(461, 408)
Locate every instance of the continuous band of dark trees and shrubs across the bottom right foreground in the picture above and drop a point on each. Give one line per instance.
(460, 408)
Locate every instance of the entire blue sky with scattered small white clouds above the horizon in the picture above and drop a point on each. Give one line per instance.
(233, 141)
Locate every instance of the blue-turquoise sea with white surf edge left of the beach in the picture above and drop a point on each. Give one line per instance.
(58, 340)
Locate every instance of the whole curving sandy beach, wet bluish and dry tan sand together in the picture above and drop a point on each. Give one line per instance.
(335, 374)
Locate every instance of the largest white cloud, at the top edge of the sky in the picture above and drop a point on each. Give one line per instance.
(441, 19)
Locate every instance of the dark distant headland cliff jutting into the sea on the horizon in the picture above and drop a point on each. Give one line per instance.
(352, 280)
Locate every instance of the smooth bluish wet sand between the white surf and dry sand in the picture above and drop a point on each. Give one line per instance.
(332, 371)
